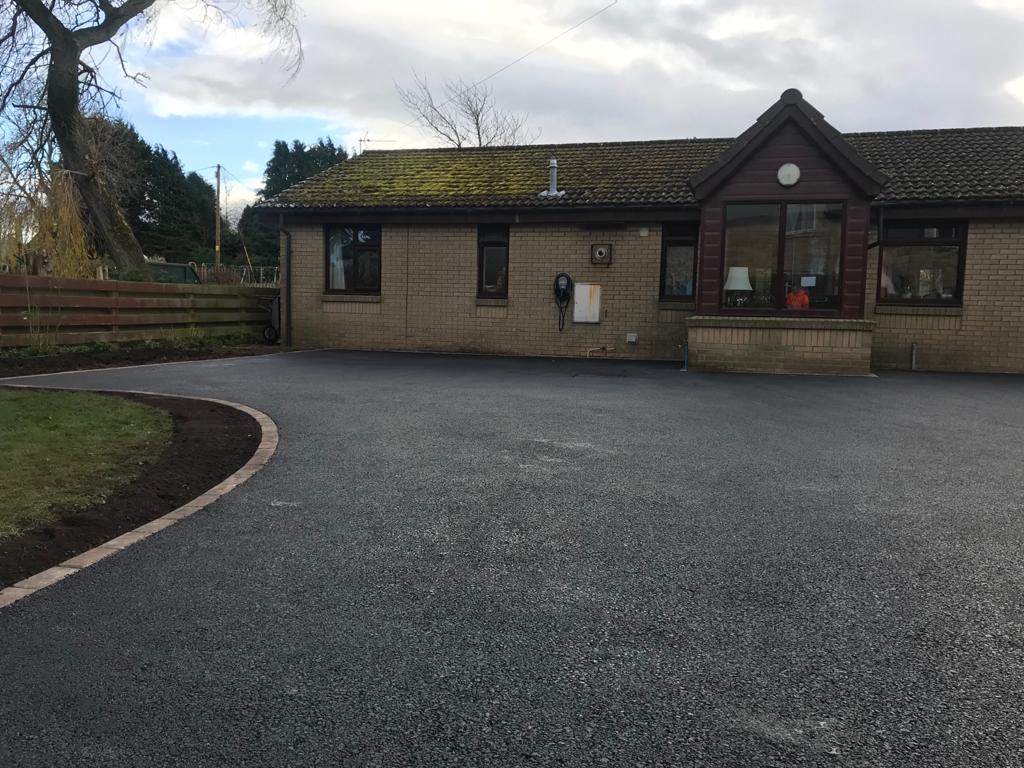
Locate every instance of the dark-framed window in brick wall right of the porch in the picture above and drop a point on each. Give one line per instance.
(922, 263)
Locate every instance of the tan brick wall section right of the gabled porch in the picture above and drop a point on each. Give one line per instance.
(987, 334)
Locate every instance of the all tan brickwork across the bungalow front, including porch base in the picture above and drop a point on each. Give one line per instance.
(429, 303)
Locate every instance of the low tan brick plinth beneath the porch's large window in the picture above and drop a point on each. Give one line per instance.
(781, 346)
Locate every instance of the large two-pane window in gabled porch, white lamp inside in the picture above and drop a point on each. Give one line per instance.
(796, 269)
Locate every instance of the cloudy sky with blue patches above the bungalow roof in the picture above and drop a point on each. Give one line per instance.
(219, 92)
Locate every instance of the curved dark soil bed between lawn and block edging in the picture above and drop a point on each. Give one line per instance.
(209, 443)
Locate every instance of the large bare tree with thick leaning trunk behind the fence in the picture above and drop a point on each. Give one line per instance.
(50, 56)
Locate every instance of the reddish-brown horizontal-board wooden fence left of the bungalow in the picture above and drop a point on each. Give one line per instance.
(58, 311)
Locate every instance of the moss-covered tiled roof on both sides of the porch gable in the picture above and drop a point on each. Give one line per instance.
(945, 165)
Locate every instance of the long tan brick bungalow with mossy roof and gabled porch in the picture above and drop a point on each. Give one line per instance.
(793, 248)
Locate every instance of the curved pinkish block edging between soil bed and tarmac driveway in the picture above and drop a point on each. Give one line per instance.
(267, 449)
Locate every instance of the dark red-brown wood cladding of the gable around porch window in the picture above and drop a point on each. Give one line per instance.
(790, 133)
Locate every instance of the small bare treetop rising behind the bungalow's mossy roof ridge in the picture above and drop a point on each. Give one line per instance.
(465, 115)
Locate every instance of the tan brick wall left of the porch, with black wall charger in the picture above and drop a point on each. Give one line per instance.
(429, 294)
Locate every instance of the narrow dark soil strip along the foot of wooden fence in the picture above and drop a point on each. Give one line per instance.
(126, 356)
